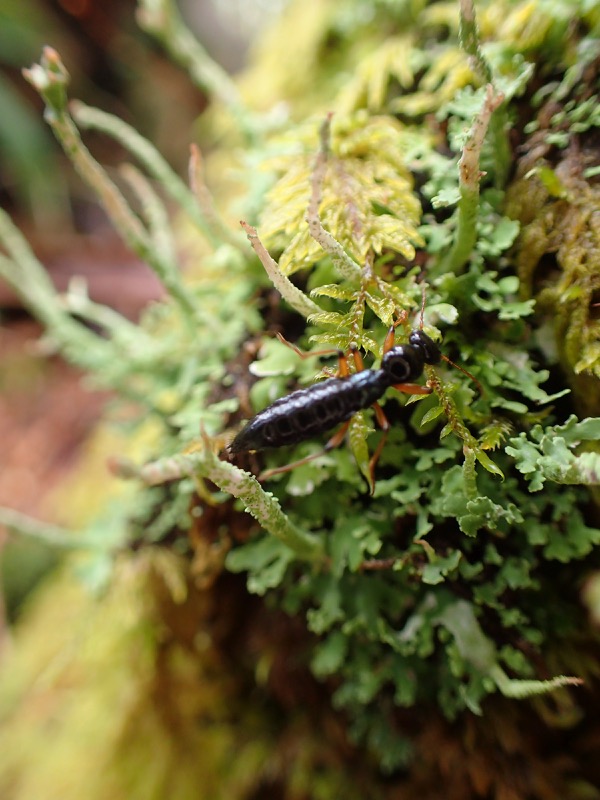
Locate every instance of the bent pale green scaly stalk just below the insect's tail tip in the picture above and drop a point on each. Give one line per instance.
(263, 506)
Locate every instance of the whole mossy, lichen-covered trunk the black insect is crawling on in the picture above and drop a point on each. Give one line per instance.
(413, 631)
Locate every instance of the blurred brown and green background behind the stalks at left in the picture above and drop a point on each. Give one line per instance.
(46, 412)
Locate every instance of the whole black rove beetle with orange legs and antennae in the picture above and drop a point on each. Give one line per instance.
(317, 409)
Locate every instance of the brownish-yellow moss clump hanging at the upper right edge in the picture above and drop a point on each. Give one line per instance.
(555, 196)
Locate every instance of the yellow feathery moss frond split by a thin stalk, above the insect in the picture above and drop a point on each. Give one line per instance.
(368, 203)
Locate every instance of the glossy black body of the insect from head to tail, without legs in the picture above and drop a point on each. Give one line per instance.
(310, 412)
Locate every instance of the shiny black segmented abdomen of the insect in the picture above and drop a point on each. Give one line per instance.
(310, 412)
